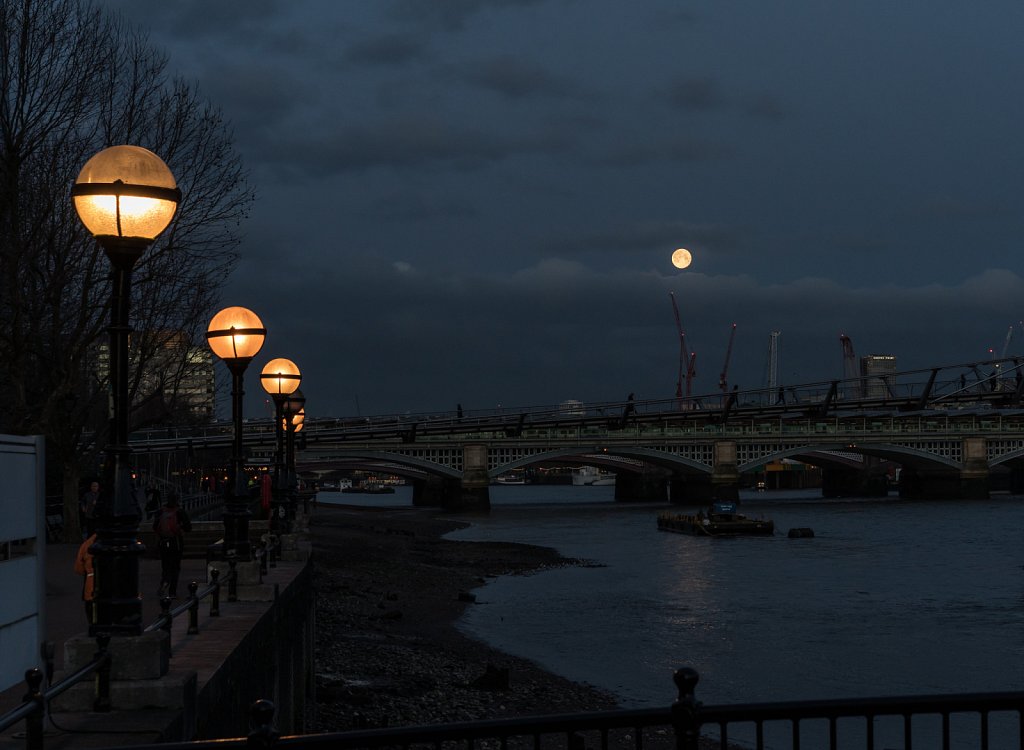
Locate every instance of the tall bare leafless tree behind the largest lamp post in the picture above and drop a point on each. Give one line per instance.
(74, 81)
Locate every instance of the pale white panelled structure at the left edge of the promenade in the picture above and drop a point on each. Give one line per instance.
(23, 556)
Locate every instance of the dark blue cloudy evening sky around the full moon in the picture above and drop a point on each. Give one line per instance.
(476, 201)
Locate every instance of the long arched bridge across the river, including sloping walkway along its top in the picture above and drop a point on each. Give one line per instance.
(955, 431)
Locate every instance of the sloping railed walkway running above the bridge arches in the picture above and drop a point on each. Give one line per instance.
(986, 385)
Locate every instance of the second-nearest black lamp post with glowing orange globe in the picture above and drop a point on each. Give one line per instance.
(237, 336)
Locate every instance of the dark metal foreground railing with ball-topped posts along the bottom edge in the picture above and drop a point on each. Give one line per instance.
(969, 721)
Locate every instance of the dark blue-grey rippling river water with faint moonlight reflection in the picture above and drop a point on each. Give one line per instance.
(890, 597)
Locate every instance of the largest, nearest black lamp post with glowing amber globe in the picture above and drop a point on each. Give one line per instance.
(125, 196)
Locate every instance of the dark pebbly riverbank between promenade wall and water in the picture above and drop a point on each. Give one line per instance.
(390, 591)
